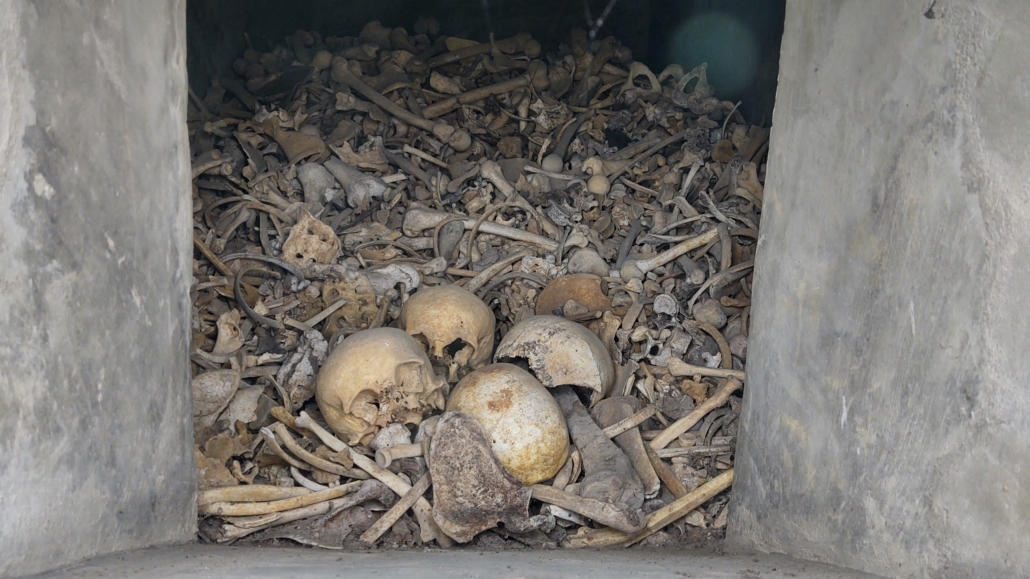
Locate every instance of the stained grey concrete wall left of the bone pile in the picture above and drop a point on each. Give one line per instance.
(95, 266)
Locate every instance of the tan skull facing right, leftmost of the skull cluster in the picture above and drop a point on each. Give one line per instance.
(373, 379)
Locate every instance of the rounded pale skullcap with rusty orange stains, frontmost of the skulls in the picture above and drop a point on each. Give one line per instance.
(526, 427)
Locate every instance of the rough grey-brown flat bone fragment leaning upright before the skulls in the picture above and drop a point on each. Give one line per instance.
(472, 491)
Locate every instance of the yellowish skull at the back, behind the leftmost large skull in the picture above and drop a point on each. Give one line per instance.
(450, 316)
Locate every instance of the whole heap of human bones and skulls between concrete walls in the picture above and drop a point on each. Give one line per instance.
(457, 292)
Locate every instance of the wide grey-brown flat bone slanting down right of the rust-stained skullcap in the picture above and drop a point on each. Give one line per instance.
(609, 474)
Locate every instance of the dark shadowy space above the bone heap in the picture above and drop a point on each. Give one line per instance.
(740, 40)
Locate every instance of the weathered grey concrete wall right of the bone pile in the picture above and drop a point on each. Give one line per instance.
(887, 416)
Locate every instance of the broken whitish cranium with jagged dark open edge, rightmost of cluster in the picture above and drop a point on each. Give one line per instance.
(560, 353)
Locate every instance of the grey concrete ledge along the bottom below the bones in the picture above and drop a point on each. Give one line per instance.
(207, 562)
